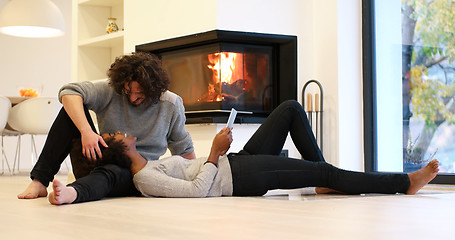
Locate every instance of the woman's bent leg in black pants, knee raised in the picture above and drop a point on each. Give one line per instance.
(288, 117)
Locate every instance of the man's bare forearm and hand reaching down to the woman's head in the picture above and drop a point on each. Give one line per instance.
(74, 107)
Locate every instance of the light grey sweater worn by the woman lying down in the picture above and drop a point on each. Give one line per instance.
(179, 177)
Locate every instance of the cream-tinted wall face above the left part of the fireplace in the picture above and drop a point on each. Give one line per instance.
(157, 20)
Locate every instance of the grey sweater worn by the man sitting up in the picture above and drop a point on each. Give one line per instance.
(157, 126)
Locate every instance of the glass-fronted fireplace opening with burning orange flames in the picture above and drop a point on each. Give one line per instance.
(221, 77)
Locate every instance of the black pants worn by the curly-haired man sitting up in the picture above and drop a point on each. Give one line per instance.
(57, 147)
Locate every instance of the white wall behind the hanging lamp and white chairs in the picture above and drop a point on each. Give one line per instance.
(34, 63)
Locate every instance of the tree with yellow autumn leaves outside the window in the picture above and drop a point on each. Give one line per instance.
(428, 83)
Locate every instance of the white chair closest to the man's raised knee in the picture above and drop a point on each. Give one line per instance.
(33, 116)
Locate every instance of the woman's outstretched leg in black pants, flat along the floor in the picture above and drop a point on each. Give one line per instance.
(254, 175)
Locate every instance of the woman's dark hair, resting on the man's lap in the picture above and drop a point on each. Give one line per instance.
(114, 154)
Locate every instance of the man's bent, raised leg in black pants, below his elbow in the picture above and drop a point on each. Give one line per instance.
(57, 147)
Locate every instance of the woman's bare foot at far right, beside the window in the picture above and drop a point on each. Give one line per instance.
(423, 176)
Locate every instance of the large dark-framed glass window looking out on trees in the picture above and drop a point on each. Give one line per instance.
(409, 74)
